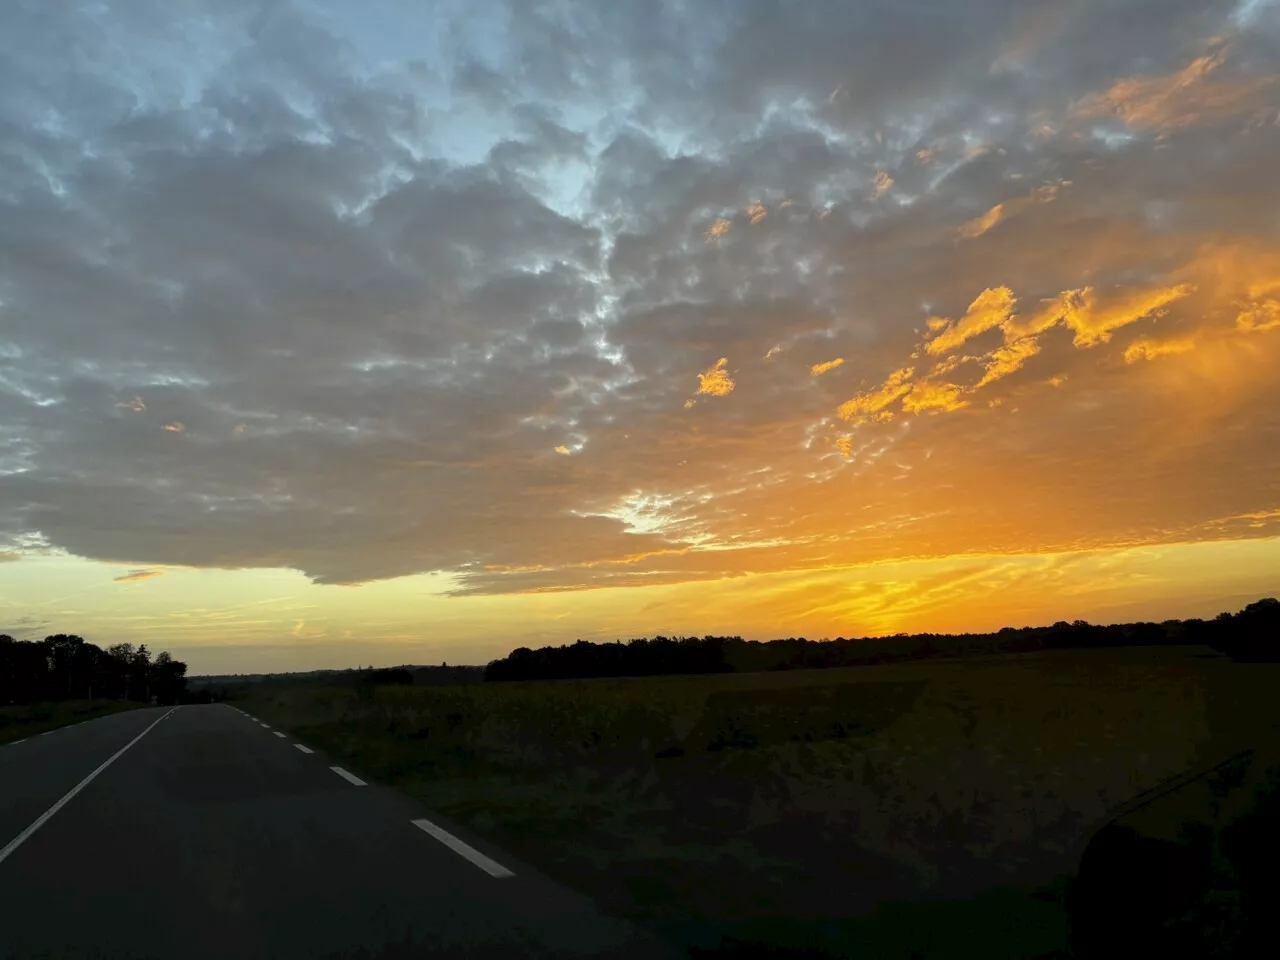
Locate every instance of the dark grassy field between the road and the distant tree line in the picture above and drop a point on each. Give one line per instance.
(916, 810)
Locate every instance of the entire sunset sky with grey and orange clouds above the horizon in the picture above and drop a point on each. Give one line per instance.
(394, 332)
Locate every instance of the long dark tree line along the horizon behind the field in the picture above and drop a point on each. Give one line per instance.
(1251, 634)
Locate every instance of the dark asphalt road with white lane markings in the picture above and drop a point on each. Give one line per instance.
(213, 836)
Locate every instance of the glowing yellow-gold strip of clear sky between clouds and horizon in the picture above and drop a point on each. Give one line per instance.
(281, 621)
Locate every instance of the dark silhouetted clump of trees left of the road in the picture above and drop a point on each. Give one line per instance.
(67, 668)
